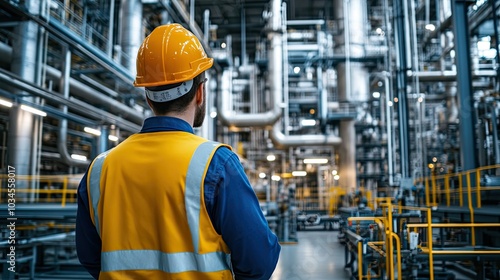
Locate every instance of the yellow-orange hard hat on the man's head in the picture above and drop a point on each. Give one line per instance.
(170, 54)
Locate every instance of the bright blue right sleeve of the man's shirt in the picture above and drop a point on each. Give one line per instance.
(237, 216)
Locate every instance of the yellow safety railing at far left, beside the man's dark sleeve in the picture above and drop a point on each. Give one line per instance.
(42, 189)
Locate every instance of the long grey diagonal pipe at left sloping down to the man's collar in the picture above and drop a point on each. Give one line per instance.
(74, 104)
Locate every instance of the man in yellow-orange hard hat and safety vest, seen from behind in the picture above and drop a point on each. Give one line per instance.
(166, 203)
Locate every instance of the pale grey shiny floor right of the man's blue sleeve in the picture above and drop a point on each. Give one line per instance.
(317, 256)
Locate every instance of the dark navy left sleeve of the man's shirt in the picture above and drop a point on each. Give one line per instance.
(88, 242)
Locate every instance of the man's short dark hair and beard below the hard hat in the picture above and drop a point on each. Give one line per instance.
(177, 105)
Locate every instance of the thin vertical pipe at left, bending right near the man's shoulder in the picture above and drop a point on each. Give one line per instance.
(63, 123)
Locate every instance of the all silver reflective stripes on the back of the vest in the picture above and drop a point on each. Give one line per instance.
(155, 259)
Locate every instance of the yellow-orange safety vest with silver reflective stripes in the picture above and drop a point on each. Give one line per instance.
(147, 204)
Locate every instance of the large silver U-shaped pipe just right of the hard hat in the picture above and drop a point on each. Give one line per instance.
(231, 118)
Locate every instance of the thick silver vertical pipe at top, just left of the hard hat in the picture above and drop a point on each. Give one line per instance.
(131, 31)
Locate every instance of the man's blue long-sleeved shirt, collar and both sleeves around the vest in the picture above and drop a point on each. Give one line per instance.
(231, 204)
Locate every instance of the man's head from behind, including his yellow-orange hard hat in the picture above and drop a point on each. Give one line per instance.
(171, 65)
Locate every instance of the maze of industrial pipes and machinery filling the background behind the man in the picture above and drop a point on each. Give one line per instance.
(377, 119)
